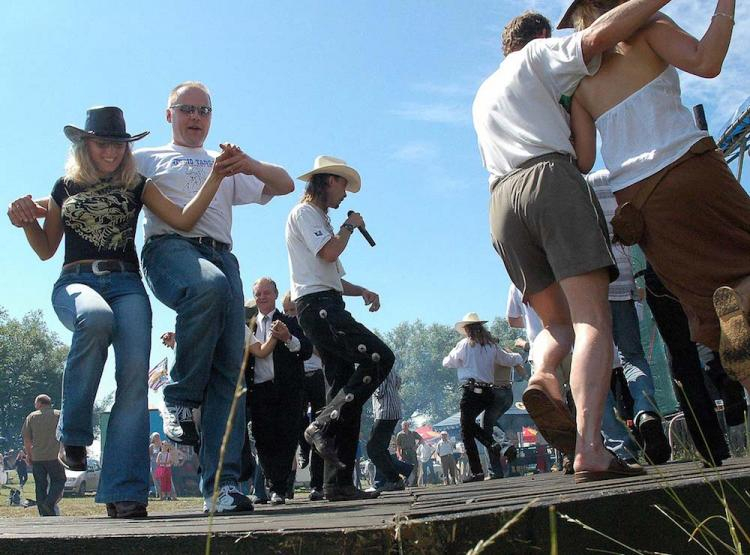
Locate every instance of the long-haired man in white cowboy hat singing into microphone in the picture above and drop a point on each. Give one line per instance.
(317, 290)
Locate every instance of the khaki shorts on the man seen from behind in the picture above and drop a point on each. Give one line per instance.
(547, 224)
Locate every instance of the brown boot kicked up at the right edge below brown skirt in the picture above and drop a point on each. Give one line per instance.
(732, 306)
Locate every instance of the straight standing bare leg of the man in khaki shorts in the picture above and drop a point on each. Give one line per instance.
(591, 368)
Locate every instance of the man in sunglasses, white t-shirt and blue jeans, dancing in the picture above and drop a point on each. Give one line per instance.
(196, 275)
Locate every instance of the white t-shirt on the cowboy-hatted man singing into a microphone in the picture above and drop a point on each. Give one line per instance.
(307, 231)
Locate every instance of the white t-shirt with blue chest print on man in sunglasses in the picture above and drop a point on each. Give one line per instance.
(179, 172)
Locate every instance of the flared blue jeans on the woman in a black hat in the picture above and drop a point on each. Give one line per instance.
(111, 309)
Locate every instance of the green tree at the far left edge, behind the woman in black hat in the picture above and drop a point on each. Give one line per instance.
(31, 362)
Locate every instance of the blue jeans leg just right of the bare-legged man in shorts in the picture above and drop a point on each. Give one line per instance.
(627, 335)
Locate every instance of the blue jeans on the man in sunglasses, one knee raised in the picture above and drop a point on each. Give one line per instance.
(202, 284)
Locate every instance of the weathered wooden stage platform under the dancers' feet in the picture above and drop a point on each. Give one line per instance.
(437, 519)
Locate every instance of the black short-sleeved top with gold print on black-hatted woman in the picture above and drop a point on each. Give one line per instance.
(99, 220)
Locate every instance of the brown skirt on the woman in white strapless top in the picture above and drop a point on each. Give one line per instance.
(697, 236)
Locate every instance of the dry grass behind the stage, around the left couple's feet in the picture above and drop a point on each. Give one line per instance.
(74, 505)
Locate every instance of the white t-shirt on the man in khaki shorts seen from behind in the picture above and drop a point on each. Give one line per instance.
(517, 113)
